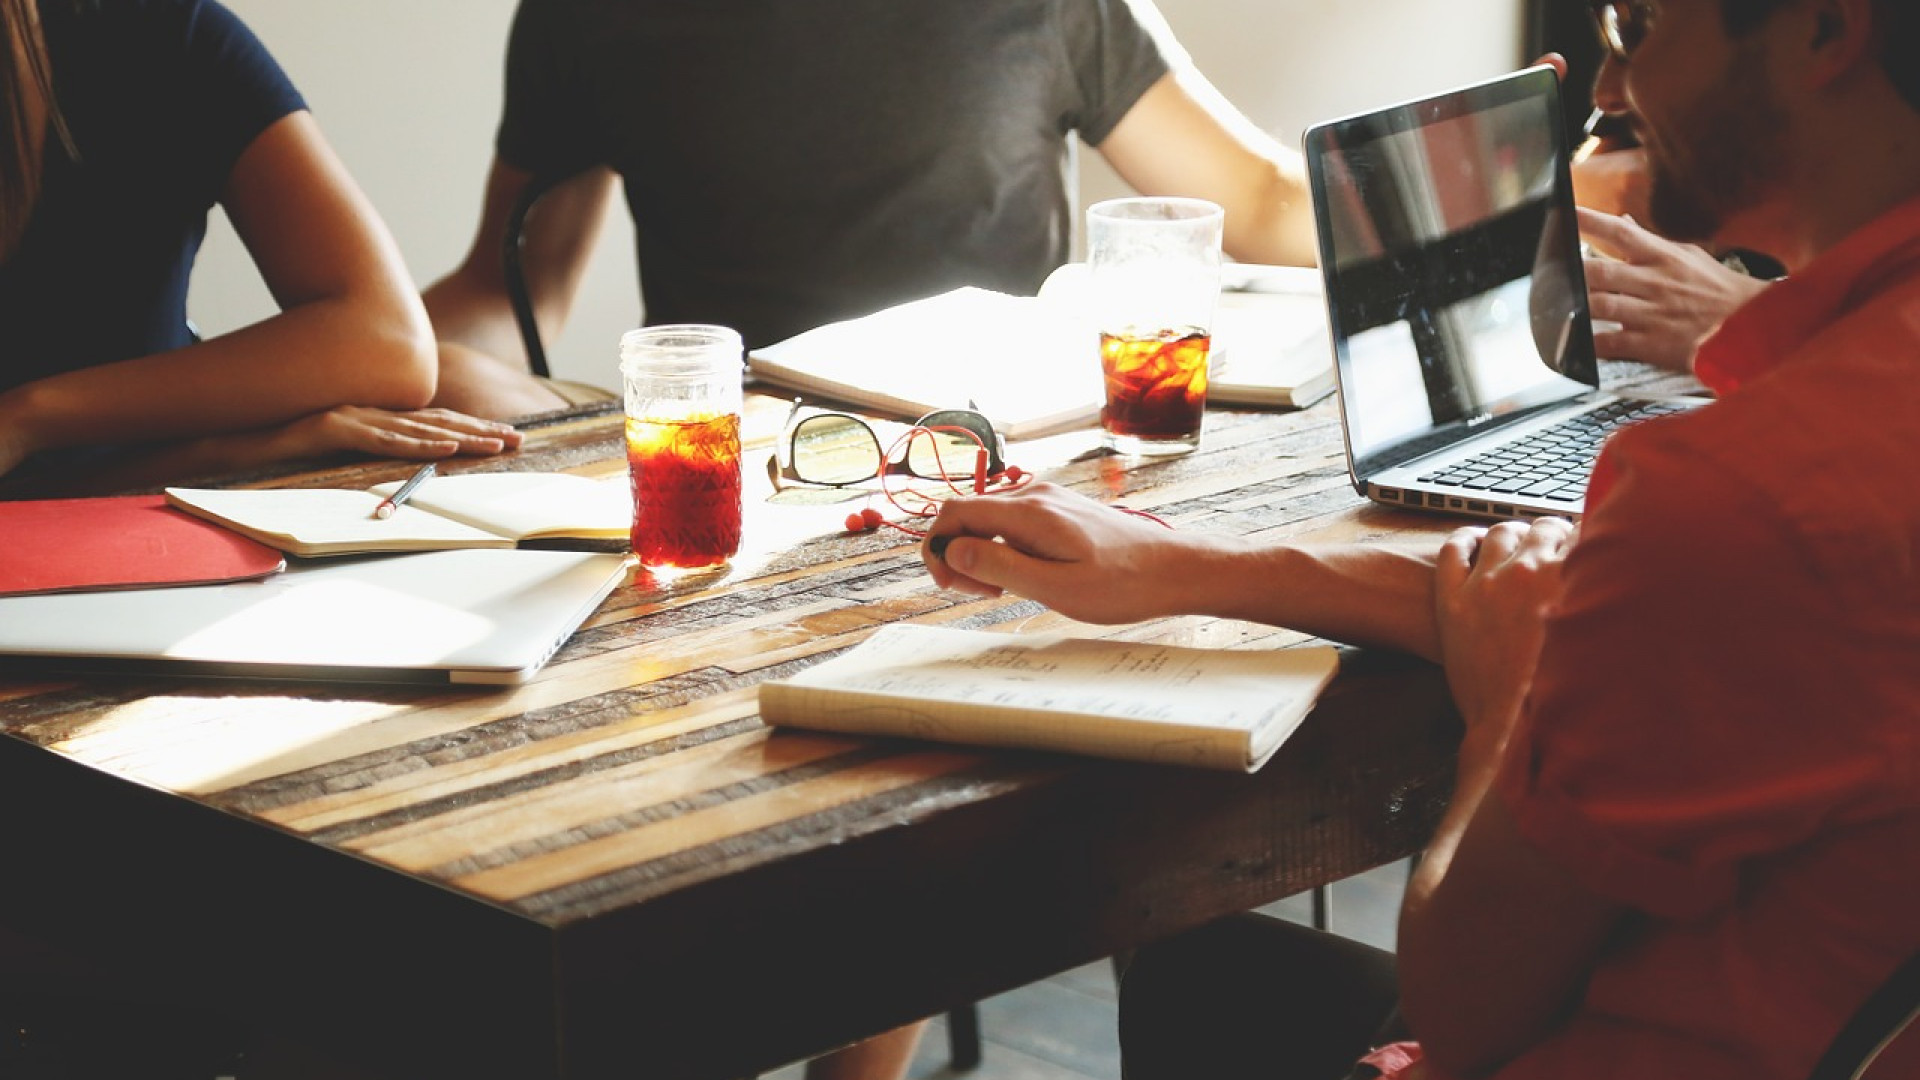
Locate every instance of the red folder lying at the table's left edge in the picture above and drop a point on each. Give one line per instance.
(120, 543)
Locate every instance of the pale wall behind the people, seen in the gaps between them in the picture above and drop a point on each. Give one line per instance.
(408, 91)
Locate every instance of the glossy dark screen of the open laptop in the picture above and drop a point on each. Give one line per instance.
(1452, 266)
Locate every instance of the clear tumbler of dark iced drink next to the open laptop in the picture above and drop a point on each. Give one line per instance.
(1155, 280)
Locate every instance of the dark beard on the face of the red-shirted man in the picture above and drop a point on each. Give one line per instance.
(1717, 155)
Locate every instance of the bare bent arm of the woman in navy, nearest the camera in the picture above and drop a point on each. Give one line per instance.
(350, 328)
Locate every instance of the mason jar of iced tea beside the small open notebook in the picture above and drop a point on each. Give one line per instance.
(683, 445)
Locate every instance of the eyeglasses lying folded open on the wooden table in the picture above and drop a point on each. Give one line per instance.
(842, 451)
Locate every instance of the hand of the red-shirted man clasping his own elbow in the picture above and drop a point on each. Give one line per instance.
(1493, 595)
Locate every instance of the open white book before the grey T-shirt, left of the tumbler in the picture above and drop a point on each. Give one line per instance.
(1022, 362)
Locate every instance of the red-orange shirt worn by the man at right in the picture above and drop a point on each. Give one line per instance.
(1725, 725)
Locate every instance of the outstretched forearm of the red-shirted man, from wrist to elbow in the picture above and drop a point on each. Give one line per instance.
(1351, 593)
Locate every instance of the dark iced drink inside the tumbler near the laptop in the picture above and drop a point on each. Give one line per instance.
(1155, 389)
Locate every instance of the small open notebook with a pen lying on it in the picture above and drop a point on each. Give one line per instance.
(475, 510)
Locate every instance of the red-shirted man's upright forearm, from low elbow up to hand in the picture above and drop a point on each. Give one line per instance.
(1495, 937)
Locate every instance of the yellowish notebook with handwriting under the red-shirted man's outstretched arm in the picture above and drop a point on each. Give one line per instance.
(1184, 706)
